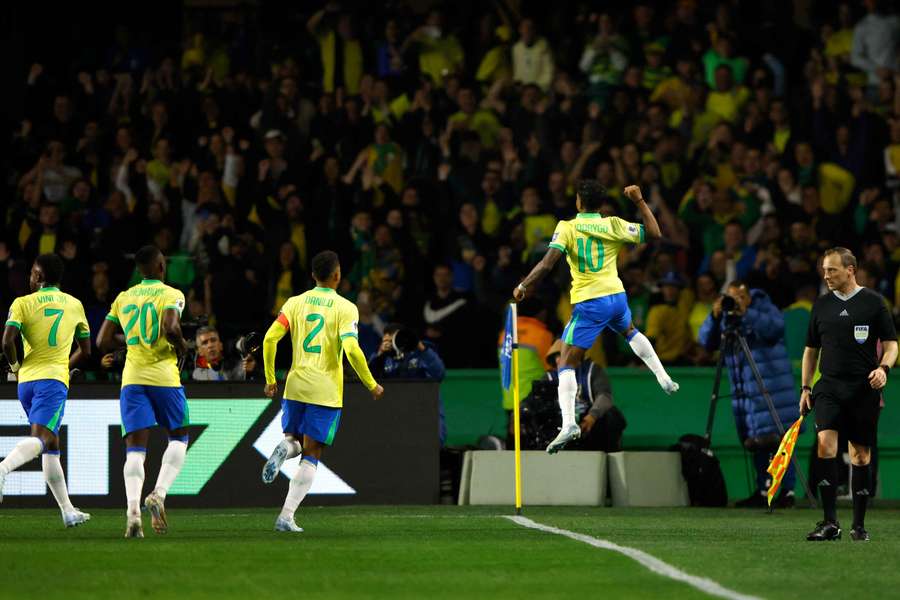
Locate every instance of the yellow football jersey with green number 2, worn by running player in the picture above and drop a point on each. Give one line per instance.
(318, 320)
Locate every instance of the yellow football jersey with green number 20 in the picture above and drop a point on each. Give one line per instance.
(151, 359)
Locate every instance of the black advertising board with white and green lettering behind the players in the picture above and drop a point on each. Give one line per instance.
(385, 451)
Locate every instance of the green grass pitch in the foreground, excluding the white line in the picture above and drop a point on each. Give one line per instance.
(441, 552)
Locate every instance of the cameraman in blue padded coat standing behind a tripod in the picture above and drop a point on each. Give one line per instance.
(752, 314)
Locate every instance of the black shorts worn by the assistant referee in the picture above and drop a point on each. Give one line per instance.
(849, 406)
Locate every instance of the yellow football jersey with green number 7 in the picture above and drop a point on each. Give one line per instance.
(49, 320)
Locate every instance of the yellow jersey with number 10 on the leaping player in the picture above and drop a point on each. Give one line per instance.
(591, 243)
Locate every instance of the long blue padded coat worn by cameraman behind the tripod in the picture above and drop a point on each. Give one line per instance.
(763, 328)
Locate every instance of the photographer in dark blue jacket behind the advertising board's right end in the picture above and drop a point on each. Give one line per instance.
(402, 355)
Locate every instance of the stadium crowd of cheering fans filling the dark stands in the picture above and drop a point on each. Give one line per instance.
(436, 152)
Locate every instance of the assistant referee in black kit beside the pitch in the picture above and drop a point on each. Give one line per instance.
(845, 325)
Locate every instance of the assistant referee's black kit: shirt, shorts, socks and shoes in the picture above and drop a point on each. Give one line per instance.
(847, 329)
